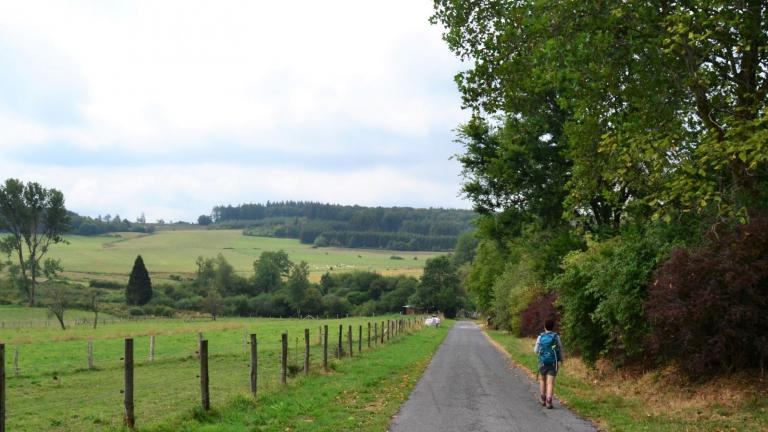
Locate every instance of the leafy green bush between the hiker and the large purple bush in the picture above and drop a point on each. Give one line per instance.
(603, 293)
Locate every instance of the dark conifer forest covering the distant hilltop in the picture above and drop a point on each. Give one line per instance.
(395, 228)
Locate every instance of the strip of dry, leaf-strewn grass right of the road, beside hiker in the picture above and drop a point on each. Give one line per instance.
(614, 407)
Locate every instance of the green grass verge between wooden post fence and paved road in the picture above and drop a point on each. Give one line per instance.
(359, 394)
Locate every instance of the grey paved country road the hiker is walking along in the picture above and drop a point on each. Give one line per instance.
(471, 387)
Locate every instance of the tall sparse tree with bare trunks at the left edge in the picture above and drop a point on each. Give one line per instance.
(35, 217)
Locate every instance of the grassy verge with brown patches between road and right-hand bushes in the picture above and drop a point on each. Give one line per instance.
(652, 401)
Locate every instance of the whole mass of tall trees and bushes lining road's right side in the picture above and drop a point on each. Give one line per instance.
(618, 164)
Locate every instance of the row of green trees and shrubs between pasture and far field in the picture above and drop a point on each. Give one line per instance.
(280, 287)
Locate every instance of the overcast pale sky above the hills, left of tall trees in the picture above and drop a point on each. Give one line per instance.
(171, 107)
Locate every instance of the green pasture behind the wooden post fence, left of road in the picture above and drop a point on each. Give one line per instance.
(77, 384)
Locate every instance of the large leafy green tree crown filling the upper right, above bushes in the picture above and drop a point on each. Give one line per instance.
(655, 105)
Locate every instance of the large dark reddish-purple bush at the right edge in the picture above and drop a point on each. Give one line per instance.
(708, 307)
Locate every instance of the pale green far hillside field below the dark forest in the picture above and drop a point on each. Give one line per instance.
(170, 252)
